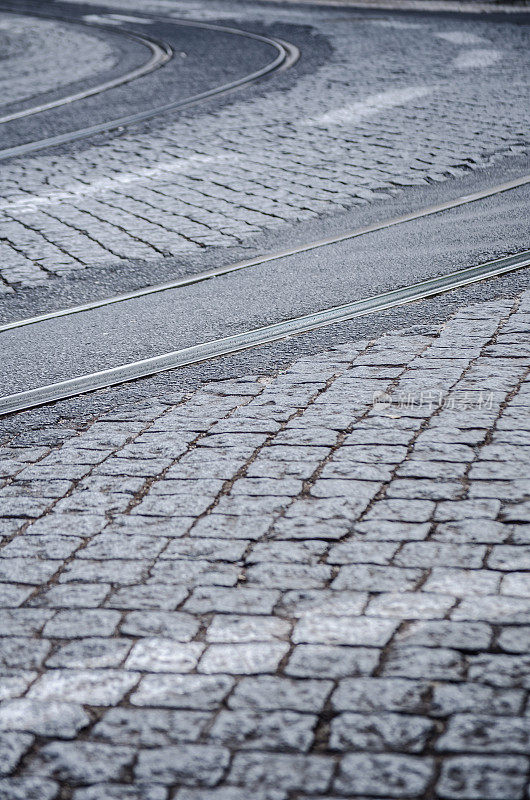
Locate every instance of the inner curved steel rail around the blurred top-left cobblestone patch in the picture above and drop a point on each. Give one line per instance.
(161, 53)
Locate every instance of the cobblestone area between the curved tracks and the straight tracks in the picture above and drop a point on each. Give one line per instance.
(398, 102)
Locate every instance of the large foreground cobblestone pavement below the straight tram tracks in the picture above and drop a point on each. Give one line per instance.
(313, 584)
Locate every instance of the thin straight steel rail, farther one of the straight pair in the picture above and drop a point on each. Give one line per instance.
(241, 265)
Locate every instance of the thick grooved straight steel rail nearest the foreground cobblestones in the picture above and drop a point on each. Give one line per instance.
(23, 401)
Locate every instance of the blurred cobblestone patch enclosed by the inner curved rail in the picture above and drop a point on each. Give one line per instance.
(27, 46)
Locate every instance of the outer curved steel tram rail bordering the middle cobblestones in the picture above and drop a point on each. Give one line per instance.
(287, 56)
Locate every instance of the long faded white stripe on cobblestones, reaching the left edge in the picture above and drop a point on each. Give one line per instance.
(102, 185)
